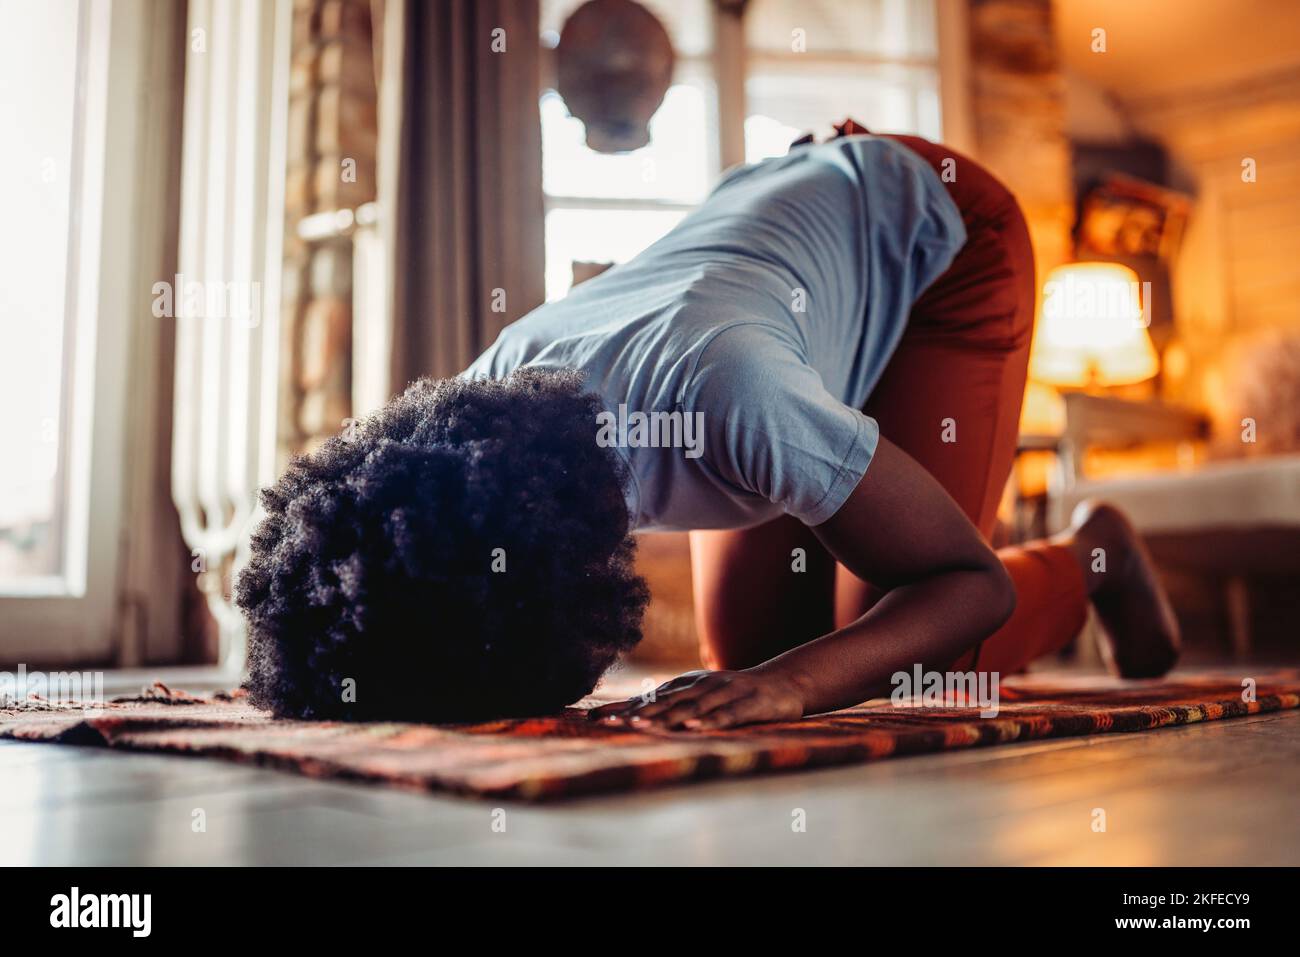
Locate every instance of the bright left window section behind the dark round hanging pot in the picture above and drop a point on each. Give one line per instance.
(609, 207)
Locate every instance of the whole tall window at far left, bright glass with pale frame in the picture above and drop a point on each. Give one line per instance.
(86, 547)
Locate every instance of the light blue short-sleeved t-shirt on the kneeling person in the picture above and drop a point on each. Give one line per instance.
(749, 337)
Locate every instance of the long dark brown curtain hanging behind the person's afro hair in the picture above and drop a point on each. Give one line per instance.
(470, 209)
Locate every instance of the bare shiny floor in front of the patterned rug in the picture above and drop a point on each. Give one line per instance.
(1219, 794)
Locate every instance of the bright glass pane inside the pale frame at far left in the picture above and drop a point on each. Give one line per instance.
(46, 296)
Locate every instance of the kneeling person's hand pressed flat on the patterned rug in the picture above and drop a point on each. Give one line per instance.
(710, 700)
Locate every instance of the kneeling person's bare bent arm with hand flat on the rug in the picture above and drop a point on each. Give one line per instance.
(947, 591)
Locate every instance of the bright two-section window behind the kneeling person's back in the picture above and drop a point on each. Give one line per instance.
(809, 64)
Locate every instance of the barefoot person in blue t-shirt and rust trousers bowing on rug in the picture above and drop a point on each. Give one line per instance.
(850, 326)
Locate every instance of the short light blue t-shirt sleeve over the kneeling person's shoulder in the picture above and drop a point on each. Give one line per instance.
(773, 430)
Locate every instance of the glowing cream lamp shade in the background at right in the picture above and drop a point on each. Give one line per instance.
(1093, 331)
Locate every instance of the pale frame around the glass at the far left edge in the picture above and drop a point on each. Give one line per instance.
(101, 605)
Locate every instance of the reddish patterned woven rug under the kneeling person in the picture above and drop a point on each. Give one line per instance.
(565, 756)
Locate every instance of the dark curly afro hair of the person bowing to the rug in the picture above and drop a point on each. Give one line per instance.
(463, 556)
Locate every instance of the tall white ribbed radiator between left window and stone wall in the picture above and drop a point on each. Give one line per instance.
(228, 287)
